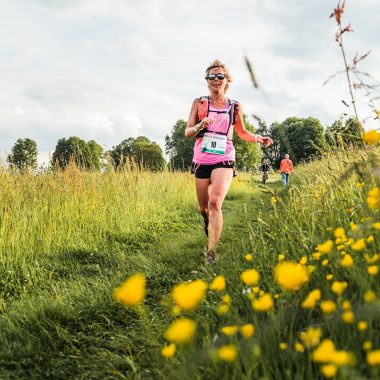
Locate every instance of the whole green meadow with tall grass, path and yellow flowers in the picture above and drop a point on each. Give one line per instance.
(67, 240)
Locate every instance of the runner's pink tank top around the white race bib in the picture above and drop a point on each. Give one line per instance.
(222, 121)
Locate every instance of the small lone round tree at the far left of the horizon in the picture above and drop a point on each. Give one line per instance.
(24, 155)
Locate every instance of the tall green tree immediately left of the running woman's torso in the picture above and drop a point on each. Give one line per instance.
(178, 147)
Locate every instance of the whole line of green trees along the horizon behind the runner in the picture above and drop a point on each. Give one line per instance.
(302, 138)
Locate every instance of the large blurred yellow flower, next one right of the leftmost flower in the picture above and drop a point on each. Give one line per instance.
(188, 295)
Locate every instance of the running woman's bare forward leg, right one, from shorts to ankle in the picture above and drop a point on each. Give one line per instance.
(220, 182)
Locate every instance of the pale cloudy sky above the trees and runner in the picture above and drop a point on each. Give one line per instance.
(107, 70)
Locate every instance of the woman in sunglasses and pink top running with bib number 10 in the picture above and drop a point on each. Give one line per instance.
(212, 120)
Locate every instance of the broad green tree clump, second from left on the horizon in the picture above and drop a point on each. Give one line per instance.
(86, 155)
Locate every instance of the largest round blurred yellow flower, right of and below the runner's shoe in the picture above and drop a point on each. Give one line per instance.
(290, 276)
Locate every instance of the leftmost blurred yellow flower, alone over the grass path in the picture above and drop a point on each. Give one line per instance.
(132, 292)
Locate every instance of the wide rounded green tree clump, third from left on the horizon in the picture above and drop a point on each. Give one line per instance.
(145, 153)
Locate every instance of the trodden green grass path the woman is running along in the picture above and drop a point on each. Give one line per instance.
(66, 325)
